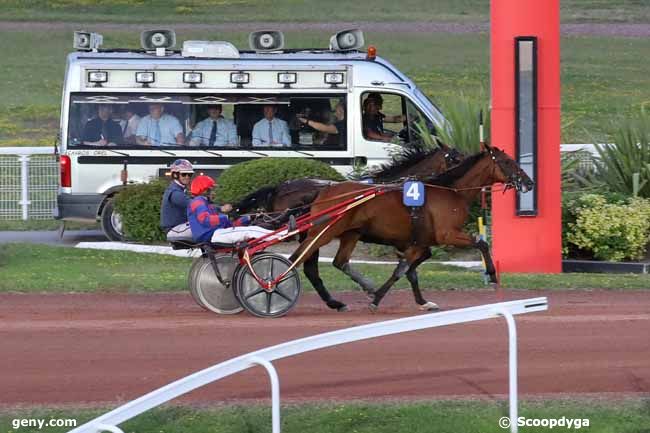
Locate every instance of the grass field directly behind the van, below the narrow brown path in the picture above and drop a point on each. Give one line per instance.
(596, 88)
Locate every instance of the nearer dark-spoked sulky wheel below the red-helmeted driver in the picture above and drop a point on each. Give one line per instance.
(276, 302)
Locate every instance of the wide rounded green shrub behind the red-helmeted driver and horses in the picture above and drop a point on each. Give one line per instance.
(242, 179)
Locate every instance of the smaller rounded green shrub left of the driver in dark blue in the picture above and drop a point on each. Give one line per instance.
(139, 206)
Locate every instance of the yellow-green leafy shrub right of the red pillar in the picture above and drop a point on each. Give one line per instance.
(610, 230)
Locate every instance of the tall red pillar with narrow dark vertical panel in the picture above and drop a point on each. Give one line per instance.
(527, 244)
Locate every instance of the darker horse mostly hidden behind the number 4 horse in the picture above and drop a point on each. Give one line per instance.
(297, 196)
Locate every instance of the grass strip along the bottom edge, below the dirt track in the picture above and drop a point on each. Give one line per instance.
(422, 417)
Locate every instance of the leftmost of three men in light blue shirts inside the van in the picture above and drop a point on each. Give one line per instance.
(159, 129)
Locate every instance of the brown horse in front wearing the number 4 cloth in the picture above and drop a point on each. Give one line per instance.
(385, 219)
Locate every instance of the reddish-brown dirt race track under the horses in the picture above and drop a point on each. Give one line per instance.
(103, 348)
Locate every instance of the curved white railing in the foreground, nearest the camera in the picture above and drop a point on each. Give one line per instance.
(110, 420)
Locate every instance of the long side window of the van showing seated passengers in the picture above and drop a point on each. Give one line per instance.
(310, 121)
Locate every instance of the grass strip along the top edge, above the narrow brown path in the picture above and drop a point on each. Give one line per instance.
(220, 11)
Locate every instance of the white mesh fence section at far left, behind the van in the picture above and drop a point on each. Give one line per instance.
(29, 178)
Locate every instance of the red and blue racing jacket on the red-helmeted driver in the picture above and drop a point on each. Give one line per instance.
(204, 219)
